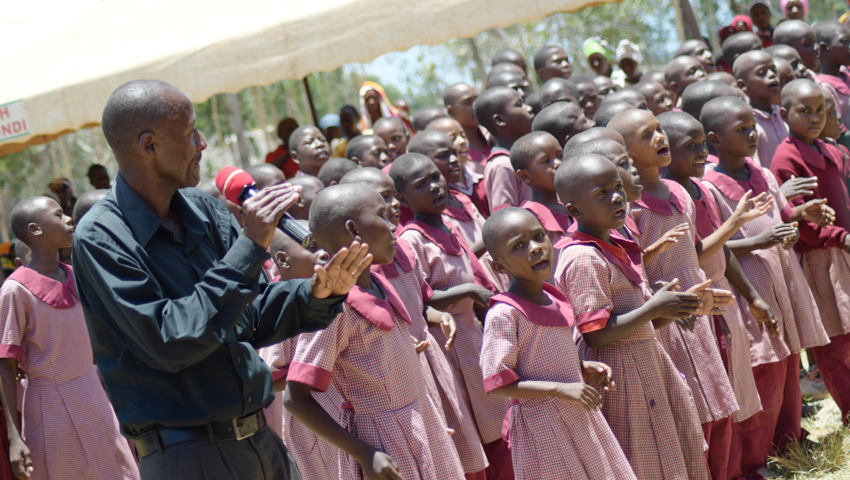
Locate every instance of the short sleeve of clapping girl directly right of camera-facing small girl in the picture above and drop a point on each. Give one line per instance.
(586, 282)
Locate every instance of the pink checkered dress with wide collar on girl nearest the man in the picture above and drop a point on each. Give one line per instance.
(368, 355)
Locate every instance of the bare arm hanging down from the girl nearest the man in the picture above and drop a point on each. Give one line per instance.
(375, 464)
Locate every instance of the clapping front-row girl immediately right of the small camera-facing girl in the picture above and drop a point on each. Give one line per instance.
(651, 411)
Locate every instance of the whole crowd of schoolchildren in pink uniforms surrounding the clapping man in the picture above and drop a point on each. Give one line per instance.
(610, 277)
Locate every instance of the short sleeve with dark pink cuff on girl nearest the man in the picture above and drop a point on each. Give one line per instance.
(316, 353)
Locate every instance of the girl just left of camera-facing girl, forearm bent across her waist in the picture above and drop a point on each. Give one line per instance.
(460, 286)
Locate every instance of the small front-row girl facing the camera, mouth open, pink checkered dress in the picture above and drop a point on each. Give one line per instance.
(557, 430)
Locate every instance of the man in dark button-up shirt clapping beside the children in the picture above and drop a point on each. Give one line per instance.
(176, 303)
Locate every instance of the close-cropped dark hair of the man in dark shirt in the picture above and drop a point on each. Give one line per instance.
(137, 107)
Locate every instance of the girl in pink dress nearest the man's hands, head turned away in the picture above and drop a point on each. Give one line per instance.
(388, 425)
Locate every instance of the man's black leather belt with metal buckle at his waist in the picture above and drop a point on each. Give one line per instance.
(233, 429)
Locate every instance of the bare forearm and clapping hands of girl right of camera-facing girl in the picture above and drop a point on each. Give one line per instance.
(663, 307)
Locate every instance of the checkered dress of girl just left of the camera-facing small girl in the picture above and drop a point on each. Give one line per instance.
(447, 264)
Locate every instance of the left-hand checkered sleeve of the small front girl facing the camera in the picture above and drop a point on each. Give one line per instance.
(499, 350)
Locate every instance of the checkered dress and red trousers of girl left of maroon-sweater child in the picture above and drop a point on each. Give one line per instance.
(775, 360)
